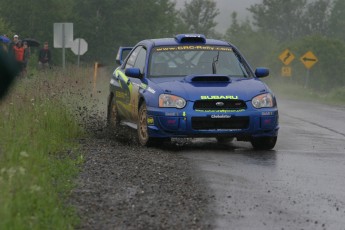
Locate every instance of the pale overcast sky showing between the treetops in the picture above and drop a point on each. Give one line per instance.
(226, 7)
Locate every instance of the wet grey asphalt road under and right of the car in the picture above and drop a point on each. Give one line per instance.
(298, 185)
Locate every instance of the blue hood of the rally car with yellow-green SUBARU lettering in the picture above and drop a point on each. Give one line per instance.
(236, 88)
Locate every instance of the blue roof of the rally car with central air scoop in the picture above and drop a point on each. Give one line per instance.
(178, 40)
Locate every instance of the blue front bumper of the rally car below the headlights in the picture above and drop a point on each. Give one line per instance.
(243, 124)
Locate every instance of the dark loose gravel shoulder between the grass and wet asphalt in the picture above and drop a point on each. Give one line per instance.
(125, 186)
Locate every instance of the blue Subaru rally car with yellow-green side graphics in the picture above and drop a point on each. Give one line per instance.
(191, 86)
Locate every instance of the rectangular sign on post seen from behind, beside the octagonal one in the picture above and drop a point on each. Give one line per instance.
(63, 37)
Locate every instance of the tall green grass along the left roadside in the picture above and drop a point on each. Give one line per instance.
(39, 154)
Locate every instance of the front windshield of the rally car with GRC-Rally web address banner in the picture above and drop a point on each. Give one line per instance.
(170, 61)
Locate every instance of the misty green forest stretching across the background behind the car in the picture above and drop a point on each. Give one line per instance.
(273, 26)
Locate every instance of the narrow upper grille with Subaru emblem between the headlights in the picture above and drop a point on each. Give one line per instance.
(219, 105)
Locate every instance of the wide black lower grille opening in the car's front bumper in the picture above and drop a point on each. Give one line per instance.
(208, 123)
